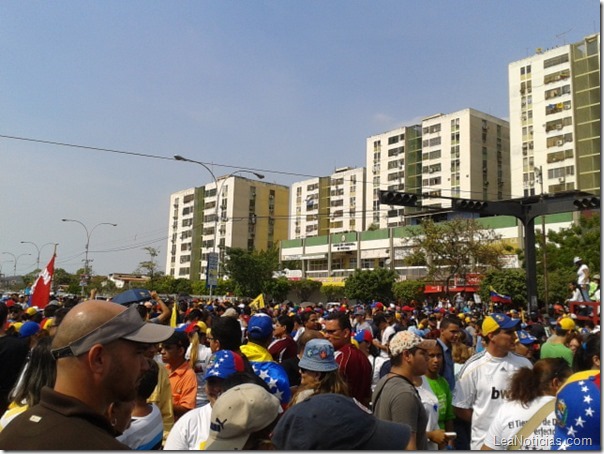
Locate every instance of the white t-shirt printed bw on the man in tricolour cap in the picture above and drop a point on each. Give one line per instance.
(482, 385)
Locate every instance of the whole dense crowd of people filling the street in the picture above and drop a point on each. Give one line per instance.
(223, 375)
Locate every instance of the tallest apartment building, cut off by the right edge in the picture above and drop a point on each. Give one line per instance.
(554, 98)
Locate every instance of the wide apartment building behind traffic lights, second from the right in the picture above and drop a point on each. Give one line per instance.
(463, 154)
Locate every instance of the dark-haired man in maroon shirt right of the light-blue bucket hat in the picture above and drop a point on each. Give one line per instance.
(353, 365)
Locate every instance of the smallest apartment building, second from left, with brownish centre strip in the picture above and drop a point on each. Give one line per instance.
(331, 204)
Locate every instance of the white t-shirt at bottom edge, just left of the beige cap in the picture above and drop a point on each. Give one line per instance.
(191, 431)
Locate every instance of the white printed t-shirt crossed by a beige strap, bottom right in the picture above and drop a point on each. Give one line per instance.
(512, 416)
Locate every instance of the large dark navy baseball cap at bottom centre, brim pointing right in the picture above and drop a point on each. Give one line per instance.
(336, 422)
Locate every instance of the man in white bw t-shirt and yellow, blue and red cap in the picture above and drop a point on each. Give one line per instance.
(483, 382)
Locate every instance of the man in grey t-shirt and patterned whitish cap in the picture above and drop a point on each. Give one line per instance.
(395, 397)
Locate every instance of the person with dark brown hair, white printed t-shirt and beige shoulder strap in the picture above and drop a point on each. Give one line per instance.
(529, 408)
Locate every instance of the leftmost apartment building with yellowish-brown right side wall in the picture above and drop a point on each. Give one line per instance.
(233, 212)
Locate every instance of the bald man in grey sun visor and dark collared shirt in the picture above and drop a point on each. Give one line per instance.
(100, 352)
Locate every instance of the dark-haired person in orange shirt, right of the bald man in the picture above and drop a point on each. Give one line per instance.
(183, 381)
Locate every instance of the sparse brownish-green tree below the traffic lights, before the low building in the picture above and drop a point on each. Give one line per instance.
(456, 247)
